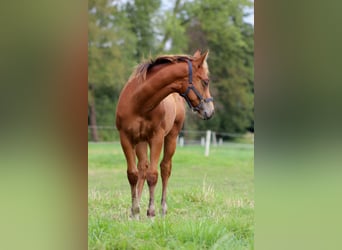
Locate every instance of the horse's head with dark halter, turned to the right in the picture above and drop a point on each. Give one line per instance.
(196, 90)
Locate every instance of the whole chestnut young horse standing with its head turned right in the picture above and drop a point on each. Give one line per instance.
(151, 112)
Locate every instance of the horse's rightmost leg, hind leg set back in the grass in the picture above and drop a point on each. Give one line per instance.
(166, 166)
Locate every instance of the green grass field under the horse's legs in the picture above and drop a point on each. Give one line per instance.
(210, 201)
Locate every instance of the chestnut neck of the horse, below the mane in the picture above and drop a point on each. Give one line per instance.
(159, 84)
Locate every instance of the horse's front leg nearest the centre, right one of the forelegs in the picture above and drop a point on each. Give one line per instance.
(156, 144)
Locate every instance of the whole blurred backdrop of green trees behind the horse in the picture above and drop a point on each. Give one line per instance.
(123, 33)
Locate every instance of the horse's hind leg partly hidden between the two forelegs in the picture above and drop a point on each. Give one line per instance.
(141, 151)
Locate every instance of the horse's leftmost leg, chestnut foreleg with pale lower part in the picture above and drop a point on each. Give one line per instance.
(132, 172)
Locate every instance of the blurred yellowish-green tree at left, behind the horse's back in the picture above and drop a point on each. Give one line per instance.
(110, 49)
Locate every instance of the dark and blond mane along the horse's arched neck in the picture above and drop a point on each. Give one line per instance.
(143, 68)
